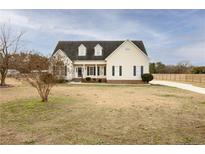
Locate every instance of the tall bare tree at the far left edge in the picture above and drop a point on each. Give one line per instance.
(9, 44)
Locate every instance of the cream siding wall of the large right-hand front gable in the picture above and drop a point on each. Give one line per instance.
(127, 56)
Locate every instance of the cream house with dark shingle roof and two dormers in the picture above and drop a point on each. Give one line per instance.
(112, 61)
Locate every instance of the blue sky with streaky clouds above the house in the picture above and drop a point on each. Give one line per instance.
(170, 36)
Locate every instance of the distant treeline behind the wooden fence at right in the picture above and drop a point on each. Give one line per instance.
(180, 68)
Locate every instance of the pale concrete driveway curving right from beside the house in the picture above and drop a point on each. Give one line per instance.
(179, 85)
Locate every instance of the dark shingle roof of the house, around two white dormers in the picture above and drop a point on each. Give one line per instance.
(71, 48)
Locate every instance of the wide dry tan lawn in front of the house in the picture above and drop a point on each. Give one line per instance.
(99, 114)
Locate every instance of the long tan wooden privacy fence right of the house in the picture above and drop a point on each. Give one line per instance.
(199, 78)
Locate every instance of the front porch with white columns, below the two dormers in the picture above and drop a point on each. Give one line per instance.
(97, 71)
